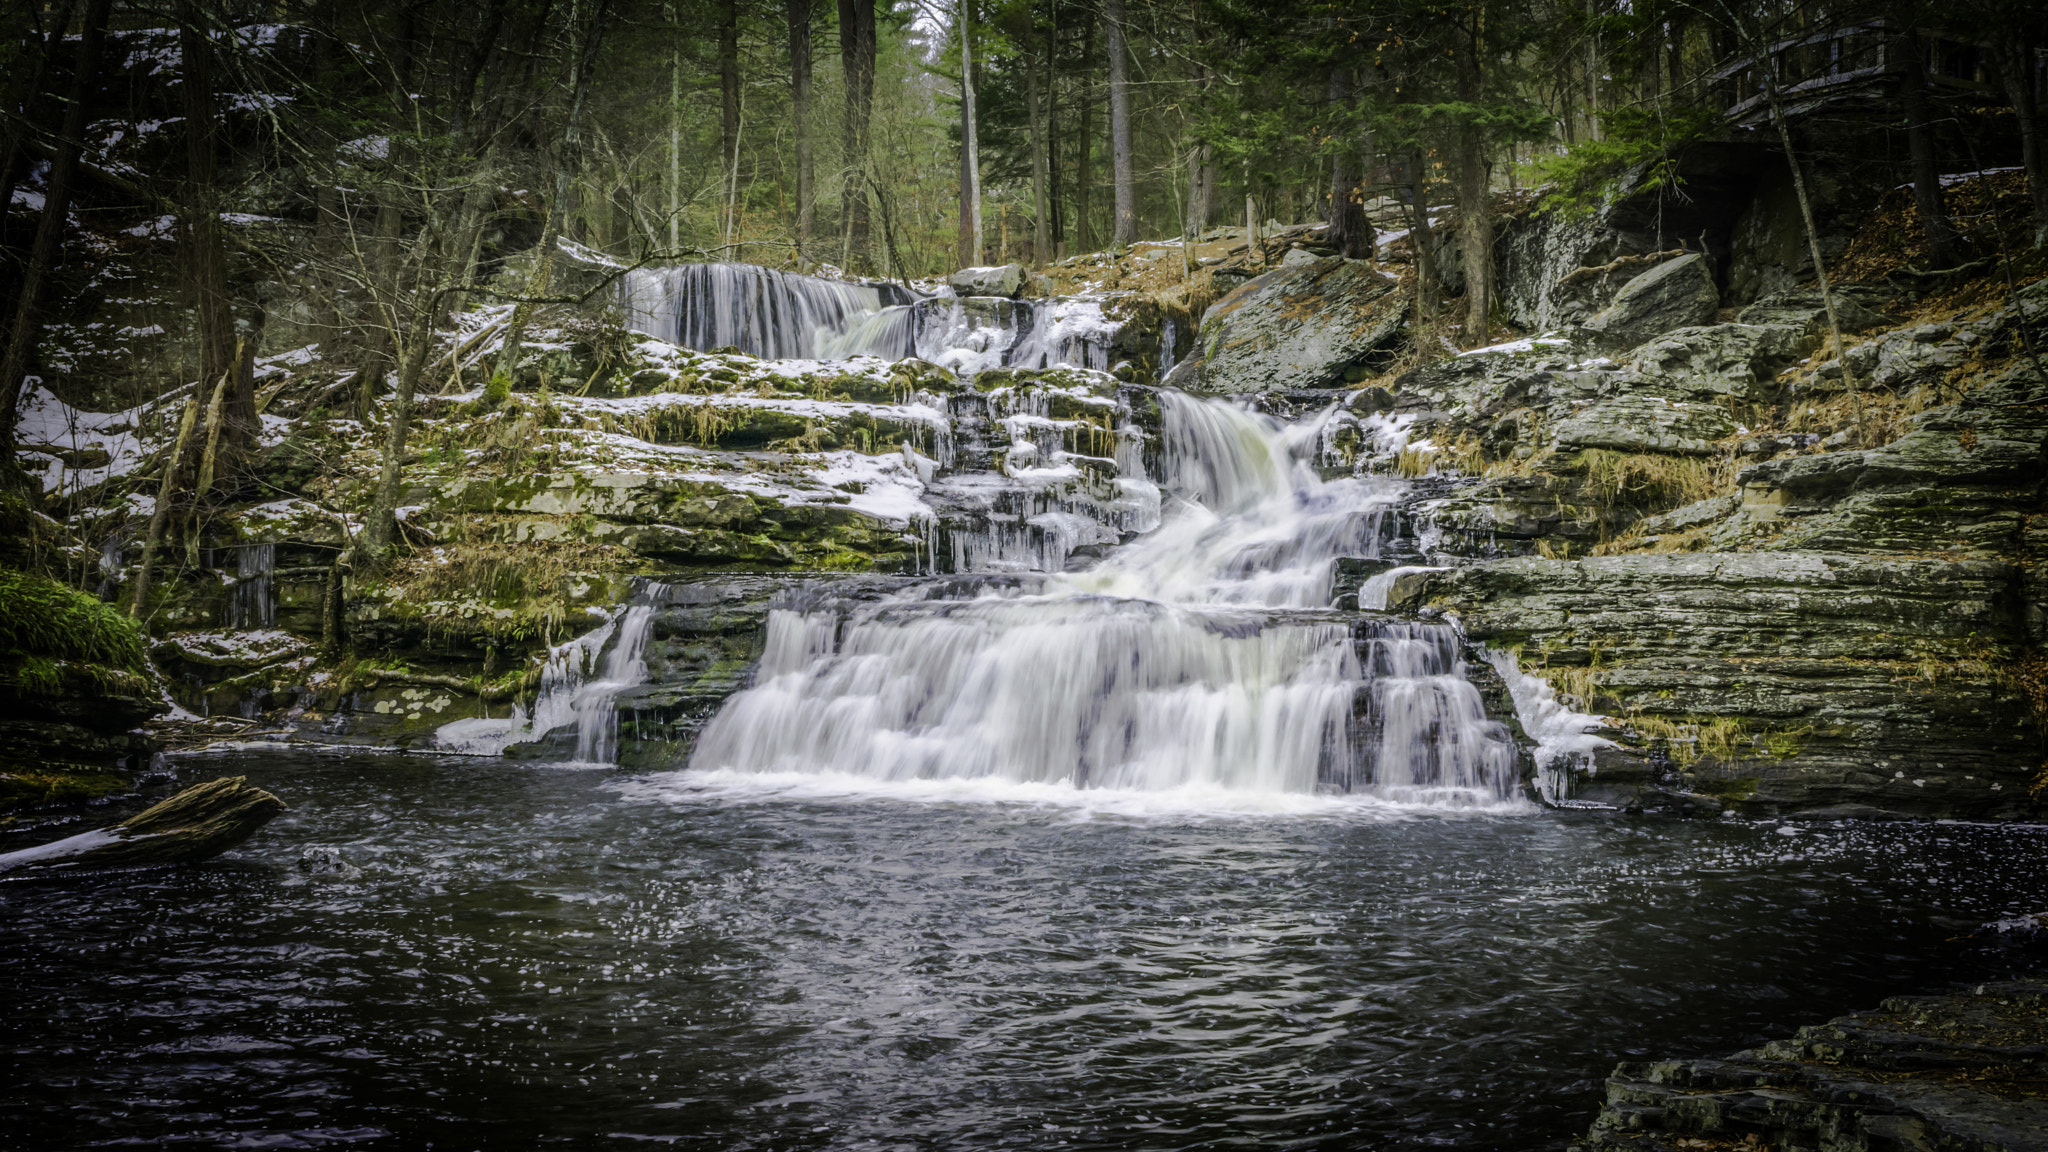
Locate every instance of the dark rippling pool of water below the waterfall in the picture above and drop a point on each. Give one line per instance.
(525, 956)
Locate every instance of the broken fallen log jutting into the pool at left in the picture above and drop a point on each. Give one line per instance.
(196, 825)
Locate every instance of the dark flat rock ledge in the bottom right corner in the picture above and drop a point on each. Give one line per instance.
(1957, 1071)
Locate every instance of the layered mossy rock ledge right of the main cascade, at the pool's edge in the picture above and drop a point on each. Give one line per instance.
(1777, 684)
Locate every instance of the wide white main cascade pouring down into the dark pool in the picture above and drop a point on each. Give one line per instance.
(1201, 657)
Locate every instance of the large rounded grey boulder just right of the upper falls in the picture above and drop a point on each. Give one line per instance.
(1299, 327)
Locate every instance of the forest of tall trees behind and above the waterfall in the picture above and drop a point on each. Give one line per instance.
(423, 142)
